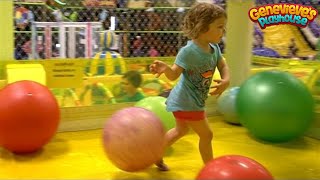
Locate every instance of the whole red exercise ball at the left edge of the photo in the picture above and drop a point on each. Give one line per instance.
(29, 116)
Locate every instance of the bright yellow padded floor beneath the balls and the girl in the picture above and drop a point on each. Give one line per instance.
(79, 155)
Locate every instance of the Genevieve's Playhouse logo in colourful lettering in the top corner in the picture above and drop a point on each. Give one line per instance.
(275, 14)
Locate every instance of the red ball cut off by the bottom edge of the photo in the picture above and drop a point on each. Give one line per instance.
(234, 167)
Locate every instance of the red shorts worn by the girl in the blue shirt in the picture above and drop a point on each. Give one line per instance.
(189, 115)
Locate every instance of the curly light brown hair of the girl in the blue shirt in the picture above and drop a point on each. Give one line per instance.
(199, 17)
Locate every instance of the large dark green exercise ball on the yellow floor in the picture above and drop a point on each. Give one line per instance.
(275, 106)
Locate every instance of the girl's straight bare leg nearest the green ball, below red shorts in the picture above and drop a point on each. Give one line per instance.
(205, 134)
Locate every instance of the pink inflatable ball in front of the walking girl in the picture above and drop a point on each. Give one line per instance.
(133, 139)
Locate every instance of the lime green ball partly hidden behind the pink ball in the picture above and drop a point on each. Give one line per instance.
(156, 104)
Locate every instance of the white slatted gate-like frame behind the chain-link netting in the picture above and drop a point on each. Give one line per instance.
(63, 44)
